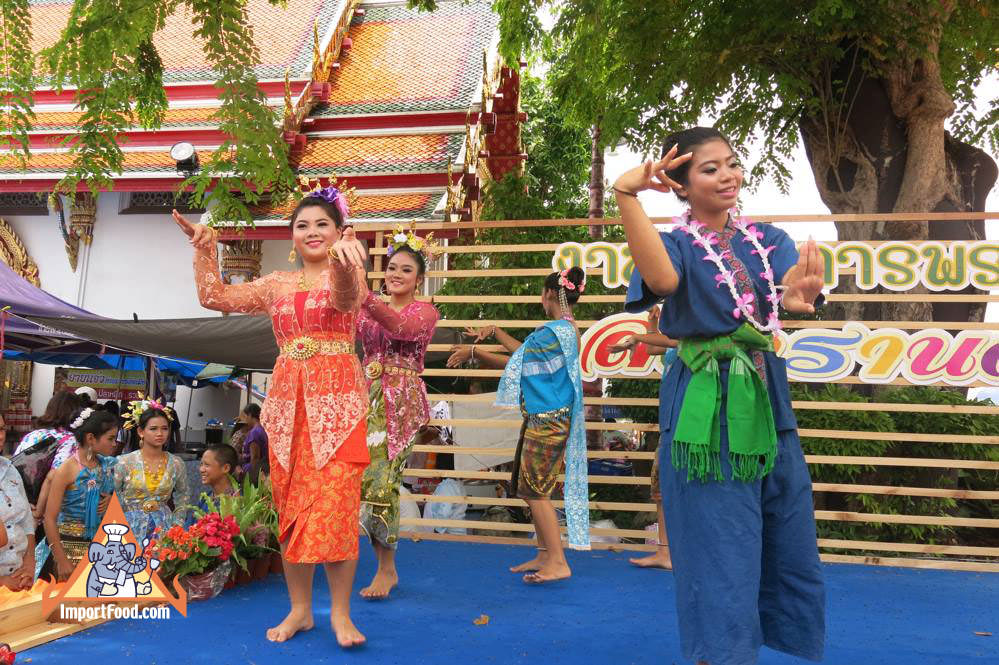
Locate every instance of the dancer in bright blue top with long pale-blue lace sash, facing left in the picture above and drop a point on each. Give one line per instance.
(542, 377)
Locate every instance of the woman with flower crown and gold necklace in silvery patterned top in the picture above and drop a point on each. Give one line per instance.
(147, 479)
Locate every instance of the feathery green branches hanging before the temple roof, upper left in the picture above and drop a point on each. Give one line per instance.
(106, 54)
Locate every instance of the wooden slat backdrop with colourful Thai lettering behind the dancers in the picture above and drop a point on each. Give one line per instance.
(896, 353)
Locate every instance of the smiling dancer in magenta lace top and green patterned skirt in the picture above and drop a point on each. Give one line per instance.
(394, 336)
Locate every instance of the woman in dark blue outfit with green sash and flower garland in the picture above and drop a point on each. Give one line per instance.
(735, 485)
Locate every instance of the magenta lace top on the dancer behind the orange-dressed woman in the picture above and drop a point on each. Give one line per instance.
(399, 339)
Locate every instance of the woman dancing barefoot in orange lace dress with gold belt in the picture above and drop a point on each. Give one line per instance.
(315, 412)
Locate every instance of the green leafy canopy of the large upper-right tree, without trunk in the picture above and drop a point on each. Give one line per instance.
(645, 69)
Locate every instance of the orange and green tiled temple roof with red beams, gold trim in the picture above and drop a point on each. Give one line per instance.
(377, 93)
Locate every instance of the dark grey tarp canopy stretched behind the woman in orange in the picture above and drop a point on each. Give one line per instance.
(246, 342)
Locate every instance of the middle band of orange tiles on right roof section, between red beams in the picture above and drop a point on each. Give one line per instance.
(352, 155)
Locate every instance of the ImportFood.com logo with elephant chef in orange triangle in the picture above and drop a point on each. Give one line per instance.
(116, 580)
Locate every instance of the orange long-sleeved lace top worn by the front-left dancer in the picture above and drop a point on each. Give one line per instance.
(330, 388)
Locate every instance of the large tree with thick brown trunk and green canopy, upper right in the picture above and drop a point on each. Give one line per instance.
(867, 85)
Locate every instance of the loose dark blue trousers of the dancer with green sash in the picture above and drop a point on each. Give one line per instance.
(745, 560)
